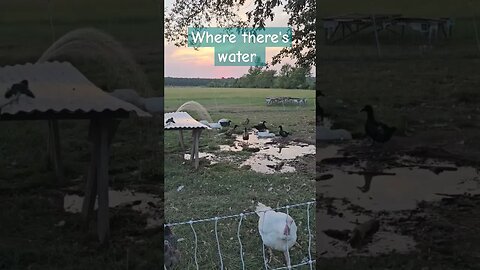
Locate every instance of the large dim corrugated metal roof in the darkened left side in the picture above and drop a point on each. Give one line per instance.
(58, 88)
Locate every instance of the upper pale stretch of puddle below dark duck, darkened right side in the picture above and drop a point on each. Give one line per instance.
(401, 190)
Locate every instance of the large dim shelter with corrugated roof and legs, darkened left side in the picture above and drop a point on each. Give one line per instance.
(62, 92)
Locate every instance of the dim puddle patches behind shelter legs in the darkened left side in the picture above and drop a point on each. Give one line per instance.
(142, 202)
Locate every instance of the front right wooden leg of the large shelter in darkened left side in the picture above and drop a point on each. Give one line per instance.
(103, 226)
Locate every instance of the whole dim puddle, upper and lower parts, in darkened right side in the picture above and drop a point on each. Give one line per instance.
(356, 191)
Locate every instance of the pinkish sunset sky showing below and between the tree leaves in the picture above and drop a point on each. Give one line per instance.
(187, 62)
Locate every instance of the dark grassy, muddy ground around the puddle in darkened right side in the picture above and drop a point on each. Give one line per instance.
(433, 100)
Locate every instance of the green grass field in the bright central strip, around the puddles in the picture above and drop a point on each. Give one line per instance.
(224, 188)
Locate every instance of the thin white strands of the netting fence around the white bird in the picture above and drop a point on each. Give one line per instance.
(310, 262)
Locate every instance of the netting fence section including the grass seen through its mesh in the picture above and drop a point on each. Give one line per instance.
(233, 241)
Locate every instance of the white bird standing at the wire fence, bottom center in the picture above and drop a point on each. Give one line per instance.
(278, 230)
